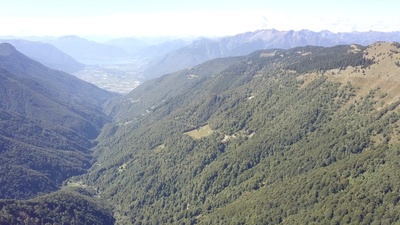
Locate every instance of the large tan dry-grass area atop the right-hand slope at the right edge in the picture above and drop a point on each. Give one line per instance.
(383, 75)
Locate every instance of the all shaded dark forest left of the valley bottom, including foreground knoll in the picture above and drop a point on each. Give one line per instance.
(48, 124)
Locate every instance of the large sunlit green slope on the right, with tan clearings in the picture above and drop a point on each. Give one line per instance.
(308, 135)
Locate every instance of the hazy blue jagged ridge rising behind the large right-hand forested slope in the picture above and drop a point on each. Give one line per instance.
(205, 49)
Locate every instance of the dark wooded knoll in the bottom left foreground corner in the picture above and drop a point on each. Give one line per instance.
(62, 207)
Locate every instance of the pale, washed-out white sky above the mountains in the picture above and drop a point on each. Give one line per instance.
(123, 18)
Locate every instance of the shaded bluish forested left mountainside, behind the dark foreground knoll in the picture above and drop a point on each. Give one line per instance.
(48, 123)
